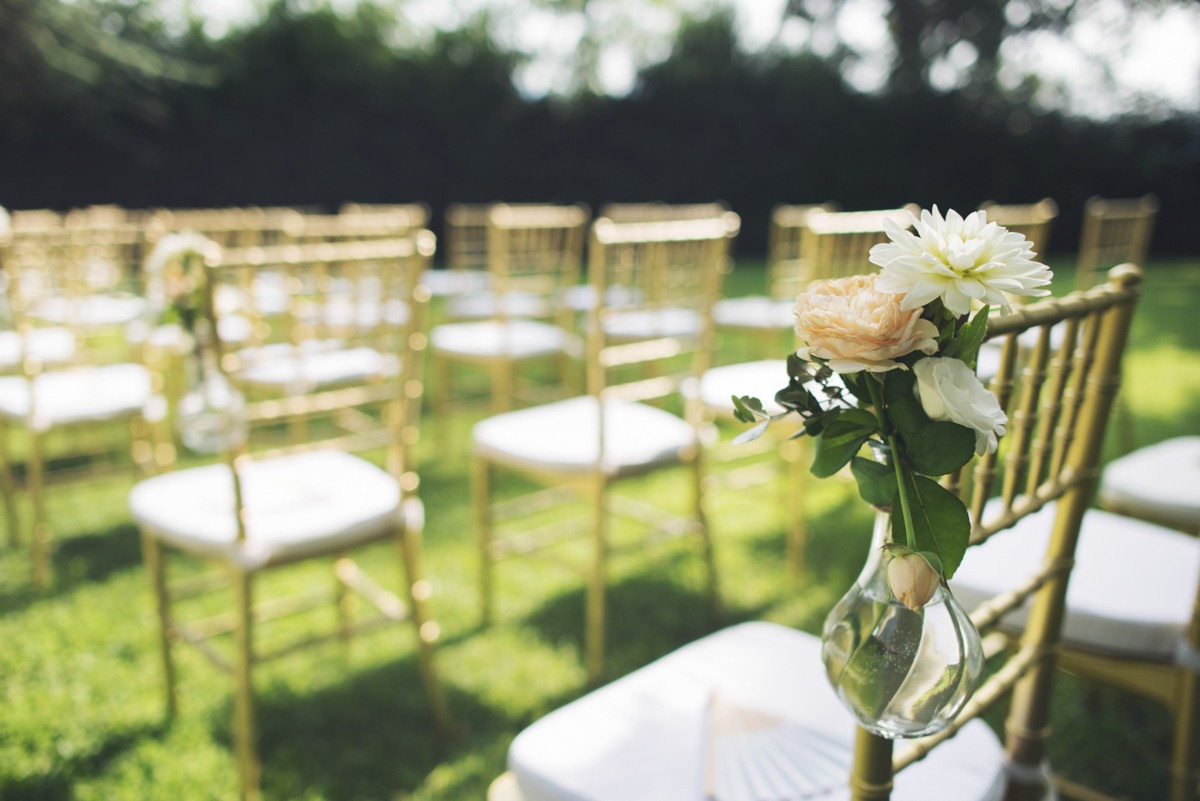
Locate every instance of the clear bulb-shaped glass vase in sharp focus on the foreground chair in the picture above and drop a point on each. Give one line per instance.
(902, 673)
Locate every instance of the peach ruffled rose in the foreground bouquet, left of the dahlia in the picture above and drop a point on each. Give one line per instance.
(855, 327)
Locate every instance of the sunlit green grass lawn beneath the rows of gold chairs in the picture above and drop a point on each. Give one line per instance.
(81, 697)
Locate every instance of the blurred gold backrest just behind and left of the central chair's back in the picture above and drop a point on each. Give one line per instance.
(536, 252)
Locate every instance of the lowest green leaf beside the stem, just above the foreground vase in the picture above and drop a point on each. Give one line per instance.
(940, 521)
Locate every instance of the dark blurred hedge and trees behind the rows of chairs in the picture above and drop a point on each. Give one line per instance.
(317, 109)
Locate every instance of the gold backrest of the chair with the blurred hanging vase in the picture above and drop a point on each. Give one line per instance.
(337, 359)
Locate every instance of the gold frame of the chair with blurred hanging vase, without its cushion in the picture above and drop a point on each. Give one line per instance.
(397, 400)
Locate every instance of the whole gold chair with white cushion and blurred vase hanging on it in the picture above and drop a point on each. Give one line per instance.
(298, 477)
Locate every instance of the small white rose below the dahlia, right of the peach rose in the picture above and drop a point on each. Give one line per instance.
(950, 390)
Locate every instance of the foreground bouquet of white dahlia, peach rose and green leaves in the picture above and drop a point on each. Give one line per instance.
(889, 362)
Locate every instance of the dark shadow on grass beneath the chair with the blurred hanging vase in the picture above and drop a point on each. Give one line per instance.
(371, 737)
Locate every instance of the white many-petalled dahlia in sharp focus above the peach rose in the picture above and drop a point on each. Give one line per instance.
(959, 261)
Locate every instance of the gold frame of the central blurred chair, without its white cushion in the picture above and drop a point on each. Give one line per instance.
(674, 264)
